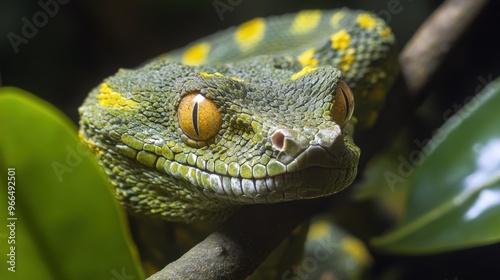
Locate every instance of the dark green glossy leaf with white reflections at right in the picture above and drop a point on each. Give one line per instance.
(454, 200)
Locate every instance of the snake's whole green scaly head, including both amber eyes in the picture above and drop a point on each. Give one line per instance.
(195, 142)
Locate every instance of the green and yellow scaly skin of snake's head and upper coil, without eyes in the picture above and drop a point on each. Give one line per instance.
(274, 82)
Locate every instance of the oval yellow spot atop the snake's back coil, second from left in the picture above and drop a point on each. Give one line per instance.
(250, 33)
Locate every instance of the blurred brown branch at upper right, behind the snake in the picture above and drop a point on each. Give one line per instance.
(419, 62)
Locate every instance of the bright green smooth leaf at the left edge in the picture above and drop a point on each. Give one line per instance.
(67, 223)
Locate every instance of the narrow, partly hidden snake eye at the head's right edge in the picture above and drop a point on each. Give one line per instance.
(344, 104)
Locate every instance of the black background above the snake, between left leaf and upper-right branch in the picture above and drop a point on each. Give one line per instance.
(86, 41)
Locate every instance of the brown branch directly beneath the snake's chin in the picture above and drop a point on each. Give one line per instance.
(241, 244)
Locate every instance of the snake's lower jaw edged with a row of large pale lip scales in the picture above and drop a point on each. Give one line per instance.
(313, 173)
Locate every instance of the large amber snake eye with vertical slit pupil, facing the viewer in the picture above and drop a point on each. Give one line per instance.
(199, 117)
